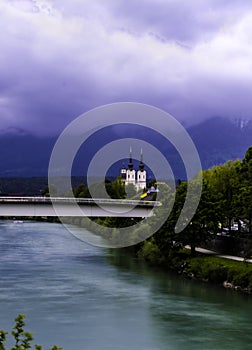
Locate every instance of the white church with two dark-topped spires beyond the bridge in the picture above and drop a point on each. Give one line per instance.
(132, 176)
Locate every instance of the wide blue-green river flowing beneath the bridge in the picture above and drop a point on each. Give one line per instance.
(82, 297)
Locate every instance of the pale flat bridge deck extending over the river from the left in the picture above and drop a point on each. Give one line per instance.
(54, 206)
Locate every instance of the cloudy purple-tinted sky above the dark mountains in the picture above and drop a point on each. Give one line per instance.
(61, 58)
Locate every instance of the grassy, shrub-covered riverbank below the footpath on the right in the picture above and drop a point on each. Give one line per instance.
(232, 274)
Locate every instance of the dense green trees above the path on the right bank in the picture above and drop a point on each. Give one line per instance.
(225, 209)
